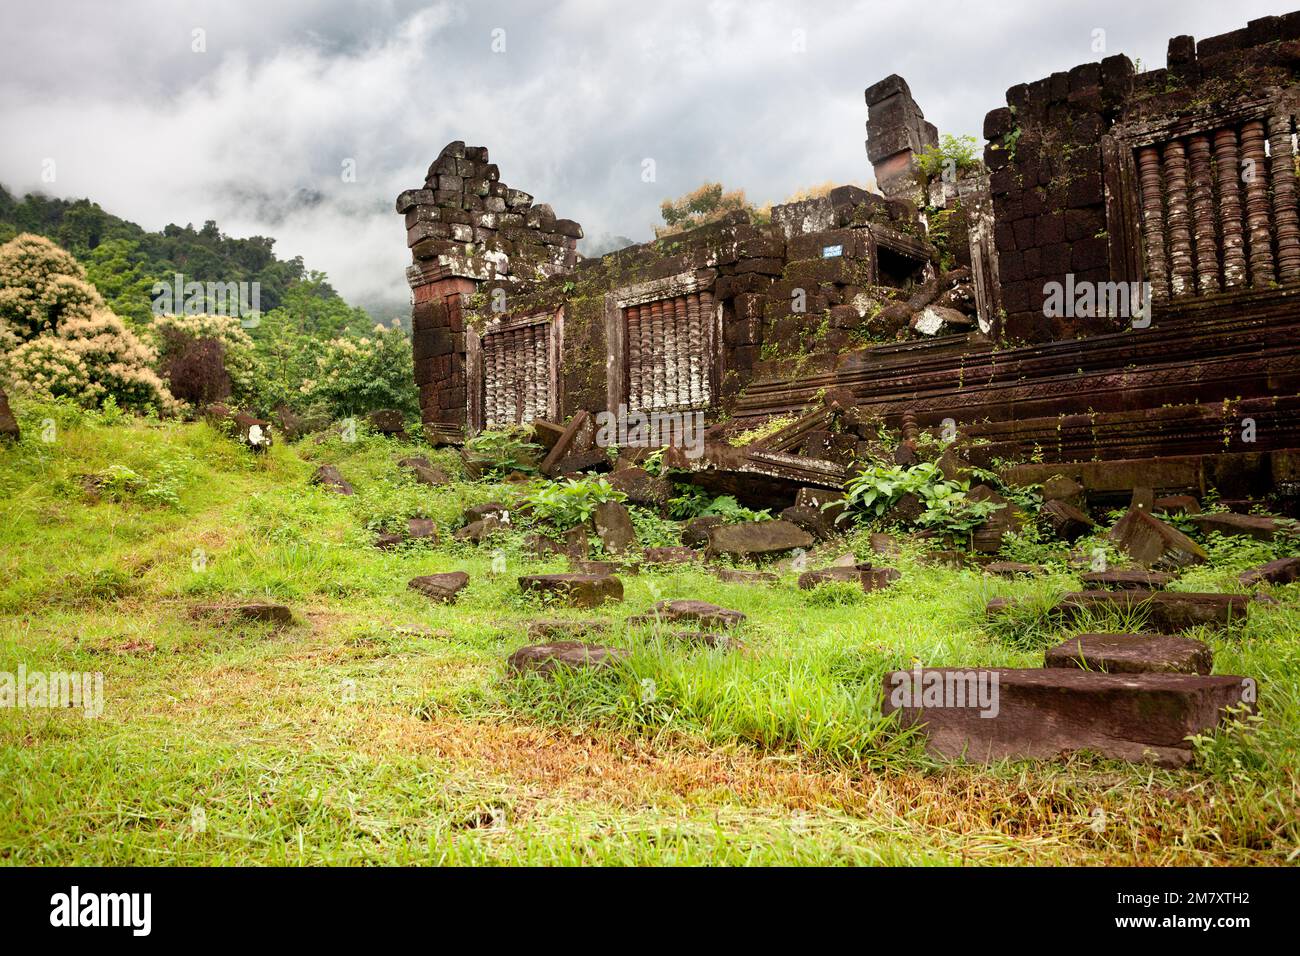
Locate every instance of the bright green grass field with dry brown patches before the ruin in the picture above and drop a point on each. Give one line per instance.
(383, 729)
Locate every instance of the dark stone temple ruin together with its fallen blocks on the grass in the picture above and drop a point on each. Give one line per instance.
(1107, 308)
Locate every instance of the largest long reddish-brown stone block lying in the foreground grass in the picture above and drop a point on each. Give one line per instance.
(987, 715)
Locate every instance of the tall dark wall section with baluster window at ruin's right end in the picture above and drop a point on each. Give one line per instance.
(1091, 166)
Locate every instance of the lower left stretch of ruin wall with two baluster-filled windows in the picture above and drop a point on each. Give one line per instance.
(512, 325)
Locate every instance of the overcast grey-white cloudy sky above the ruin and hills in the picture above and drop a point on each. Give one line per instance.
(254, 131)
